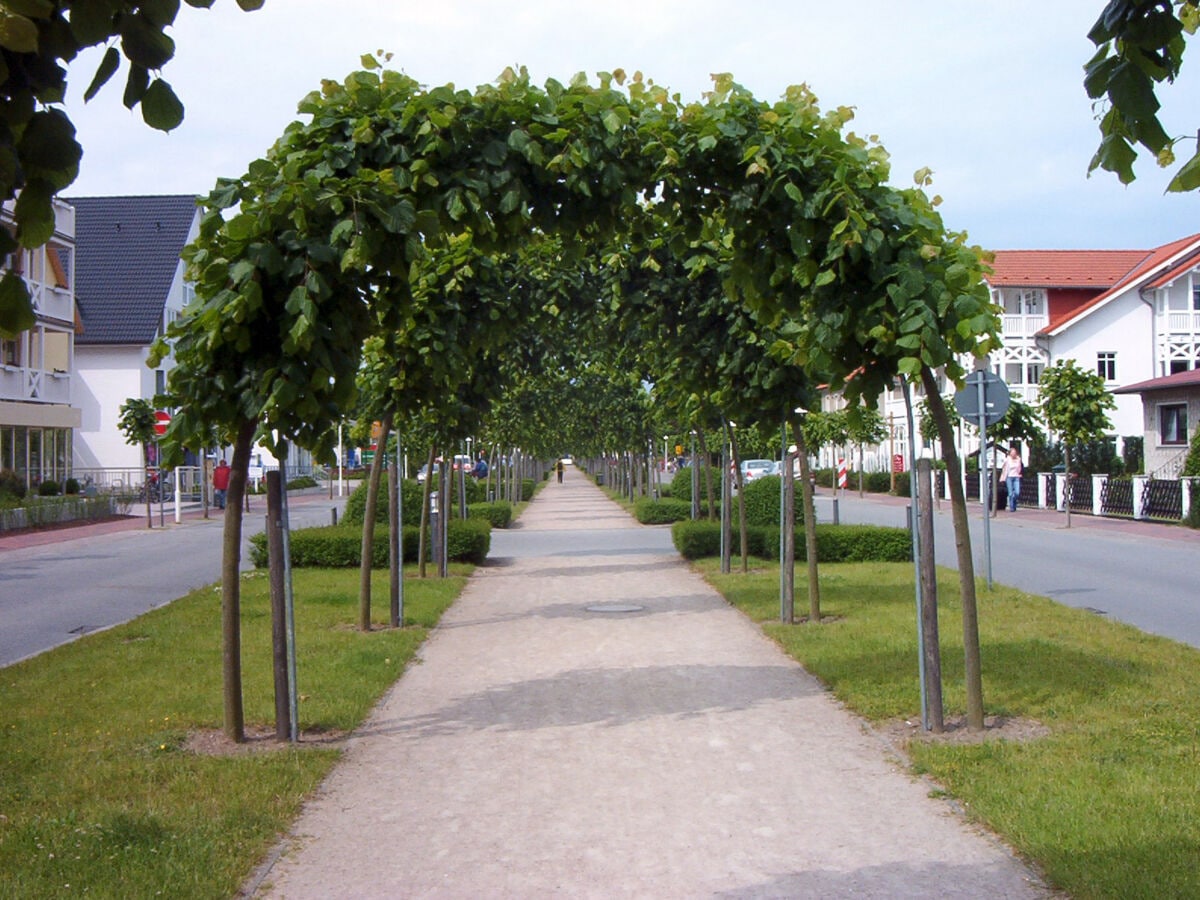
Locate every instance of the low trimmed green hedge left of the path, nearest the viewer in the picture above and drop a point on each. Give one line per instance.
(341, 547)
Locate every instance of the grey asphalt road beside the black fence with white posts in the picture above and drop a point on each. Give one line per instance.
(1138, 573)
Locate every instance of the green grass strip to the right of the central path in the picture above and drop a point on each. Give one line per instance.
(1108, 806)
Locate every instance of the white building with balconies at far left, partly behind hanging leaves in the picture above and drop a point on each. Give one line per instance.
(38, 389)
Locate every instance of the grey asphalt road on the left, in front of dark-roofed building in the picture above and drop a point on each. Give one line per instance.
(92, 579)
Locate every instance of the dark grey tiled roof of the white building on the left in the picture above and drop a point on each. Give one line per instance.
(127, 254)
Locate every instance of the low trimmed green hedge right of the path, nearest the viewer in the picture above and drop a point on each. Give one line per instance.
(836, 544)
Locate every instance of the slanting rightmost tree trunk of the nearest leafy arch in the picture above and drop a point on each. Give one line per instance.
(963, 551)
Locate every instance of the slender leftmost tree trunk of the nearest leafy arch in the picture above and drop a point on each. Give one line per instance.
(231, 585)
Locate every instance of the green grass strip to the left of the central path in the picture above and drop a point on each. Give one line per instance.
(99, 795)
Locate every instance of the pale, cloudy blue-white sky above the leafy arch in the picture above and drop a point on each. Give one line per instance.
(986, 93)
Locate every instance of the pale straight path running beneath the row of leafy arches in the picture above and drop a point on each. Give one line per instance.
(542, 749)
